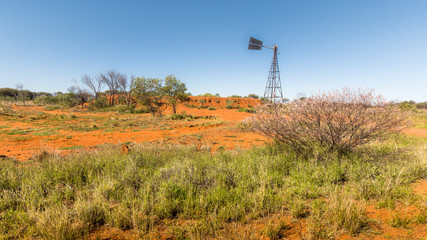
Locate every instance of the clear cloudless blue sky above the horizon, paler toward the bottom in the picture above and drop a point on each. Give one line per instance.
(323, 45)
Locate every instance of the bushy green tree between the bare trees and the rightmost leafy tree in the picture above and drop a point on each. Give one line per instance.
(149, 93)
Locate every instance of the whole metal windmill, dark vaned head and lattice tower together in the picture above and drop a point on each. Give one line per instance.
(273, 89)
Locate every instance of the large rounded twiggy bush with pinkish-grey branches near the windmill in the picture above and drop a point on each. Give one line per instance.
(339, 120)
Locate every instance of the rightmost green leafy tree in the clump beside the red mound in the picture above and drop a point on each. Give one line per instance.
(174, 91)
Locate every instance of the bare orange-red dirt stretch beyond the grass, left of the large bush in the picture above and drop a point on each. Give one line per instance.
(220, 132)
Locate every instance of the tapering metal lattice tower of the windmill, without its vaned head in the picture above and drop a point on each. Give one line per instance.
(273, 89)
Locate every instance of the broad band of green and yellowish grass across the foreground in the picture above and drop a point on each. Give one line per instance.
(69, 197)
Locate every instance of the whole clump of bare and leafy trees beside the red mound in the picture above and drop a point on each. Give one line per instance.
(154, 94)
